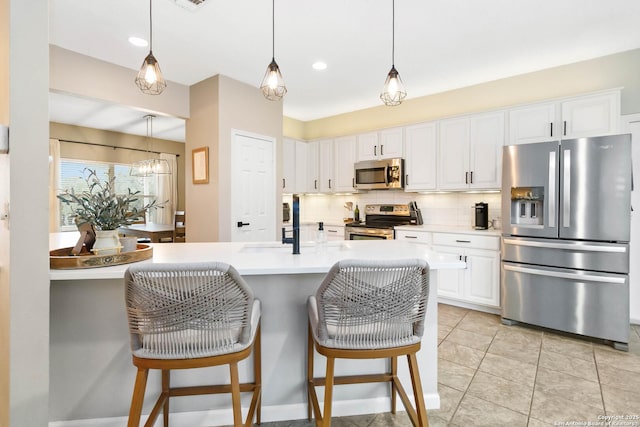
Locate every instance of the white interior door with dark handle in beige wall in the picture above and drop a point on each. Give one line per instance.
(253, 187)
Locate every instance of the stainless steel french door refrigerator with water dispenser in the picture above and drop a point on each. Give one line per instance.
(566, 209)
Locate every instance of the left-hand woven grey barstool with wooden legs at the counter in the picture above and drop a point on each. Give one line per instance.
(191, 315)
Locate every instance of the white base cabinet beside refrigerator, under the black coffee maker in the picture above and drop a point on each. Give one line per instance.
(479, 283)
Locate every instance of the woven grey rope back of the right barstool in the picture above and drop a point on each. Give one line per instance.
(373, 304)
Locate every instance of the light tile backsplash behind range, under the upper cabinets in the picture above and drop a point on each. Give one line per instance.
(453, 209)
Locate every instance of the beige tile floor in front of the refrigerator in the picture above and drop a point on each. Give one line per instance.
(494, 375)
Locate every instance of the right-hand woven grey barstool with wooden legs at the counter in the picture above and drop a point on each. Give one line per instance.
(368, 310)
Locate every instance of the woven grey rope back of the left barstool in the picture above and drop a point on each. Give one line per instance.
(187, 310)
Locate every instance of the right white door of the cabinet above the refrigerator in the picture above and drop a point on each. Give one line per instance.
(591, 116)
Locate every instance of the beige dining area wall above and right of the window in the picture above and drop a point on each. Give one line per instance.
(107, 154)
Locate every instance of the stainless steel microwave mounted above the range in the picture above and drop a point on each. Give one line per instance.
(380, 174)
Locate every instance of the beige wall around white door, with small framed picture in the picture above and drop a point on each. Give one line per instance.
(218, 105)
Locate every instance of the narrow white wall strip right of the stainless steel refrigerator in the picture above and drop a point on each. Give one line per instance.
(631, 124)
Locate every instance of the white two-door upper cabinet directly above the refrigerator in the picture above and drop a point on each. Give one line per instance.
(589, 115)
